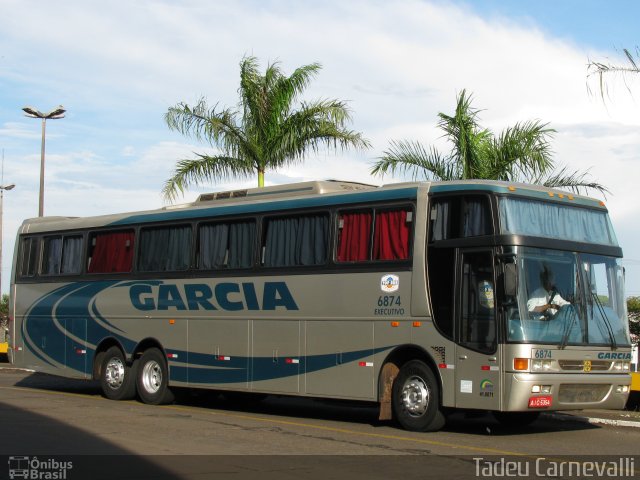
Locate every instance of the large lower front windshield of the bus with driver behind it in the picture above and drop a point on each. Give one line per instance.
(567, 298)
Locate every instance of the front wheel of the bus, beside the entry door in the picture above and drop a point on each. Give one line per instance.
(416, 398)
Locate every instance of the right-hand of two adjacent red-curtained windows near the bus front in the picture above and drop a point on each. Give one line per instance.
(391, 236)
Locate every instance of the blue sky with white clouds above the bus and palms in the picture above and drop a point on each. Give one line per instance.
(117, 66)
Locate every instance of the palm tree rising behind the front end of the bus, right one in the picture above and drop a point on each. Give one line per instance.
(521, 153)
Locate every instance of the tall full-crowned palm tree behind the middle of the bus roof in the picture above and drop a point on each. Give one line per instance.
(267, 132)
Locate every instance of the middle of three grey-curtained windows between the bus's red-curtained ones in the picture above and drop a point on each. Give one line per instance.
(226, 245)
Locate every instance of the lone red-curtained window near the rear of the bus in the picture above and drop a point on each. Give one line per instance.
(113, 252)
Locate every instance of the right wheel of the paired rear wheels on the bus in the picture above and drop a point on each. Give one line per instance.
(153, 378)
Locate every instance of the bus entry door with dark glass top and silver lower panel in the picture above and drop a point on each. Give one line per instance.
(477, 363)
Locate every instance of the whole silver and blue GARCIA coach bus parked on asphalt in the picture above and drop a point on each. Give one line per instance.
(413, 296)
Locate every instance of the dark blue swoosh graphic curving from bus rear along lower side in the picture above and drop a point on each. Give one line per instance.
(53, 316)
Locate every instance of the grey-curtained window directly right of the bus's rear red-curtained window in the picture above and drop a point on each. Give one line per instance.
(165, 249)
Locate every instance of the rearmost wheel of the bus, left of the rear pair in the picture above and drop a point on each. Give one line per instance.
(117, 379)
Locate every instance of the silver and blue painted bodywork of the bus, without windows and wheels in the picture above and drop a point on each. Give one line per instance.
(320, 334)
